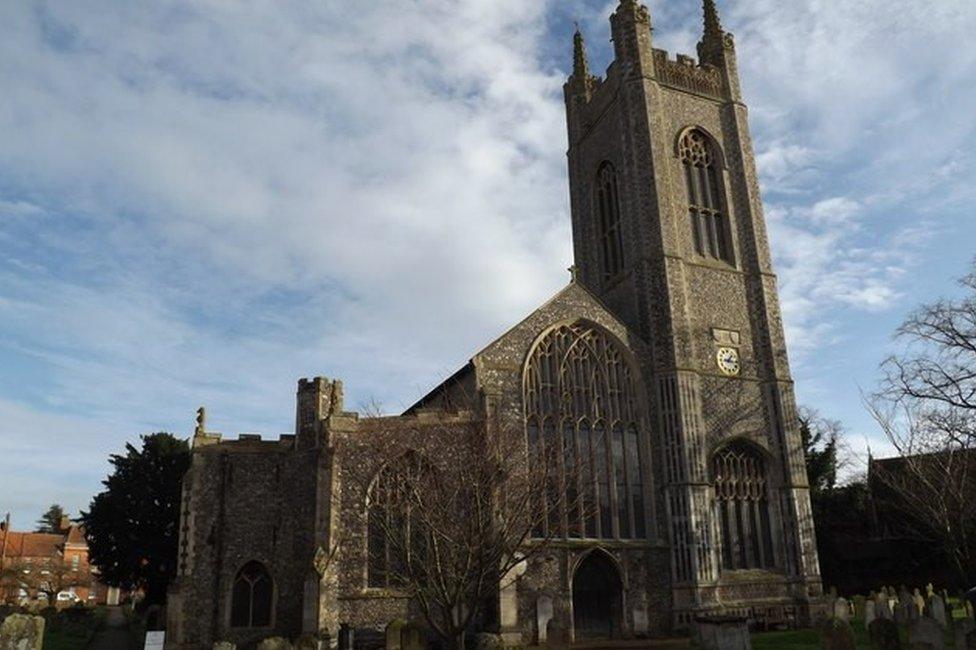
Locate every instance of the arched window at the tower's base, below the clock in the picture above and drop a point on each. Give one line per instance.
(739, 473)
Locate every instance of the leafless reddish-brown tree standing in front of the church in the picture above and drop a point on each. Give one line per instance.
(457, 509)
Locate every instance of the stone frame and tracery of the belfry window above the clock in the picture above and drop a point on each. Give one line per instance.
(721, 207)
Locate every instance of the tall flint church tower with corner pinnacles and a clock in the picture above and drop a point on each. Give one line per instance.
(668, 232)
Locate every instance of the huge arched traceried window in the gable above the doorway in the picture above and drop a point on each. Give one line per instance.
(582, 411)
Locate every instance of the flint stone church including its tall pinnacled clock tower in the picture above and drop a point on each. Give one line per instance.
(664, 357)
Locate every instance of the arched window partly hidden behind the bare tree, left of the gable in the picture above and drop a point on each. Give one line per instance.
(391, 537)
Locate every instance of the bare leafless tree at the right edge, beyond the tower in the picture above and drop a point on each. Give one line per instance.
(927, 409)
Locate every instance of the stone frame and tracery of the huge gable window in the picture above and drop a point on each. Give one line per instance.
(539, 425)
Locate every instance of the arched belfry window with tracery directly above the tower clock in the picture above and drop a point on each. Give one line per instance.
(708, 222)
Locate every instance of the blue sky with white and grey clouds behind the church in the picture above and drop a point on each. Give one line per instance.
(202, 202)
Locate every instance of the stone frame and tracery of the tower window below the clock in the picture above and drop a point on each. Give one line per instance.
(758, 512)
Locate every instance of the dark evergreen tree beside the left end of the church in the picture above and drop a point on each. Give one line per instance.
(133, 525)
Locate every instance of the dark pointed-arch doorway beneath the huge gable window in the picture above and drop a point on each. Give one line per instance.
(597, 595)
